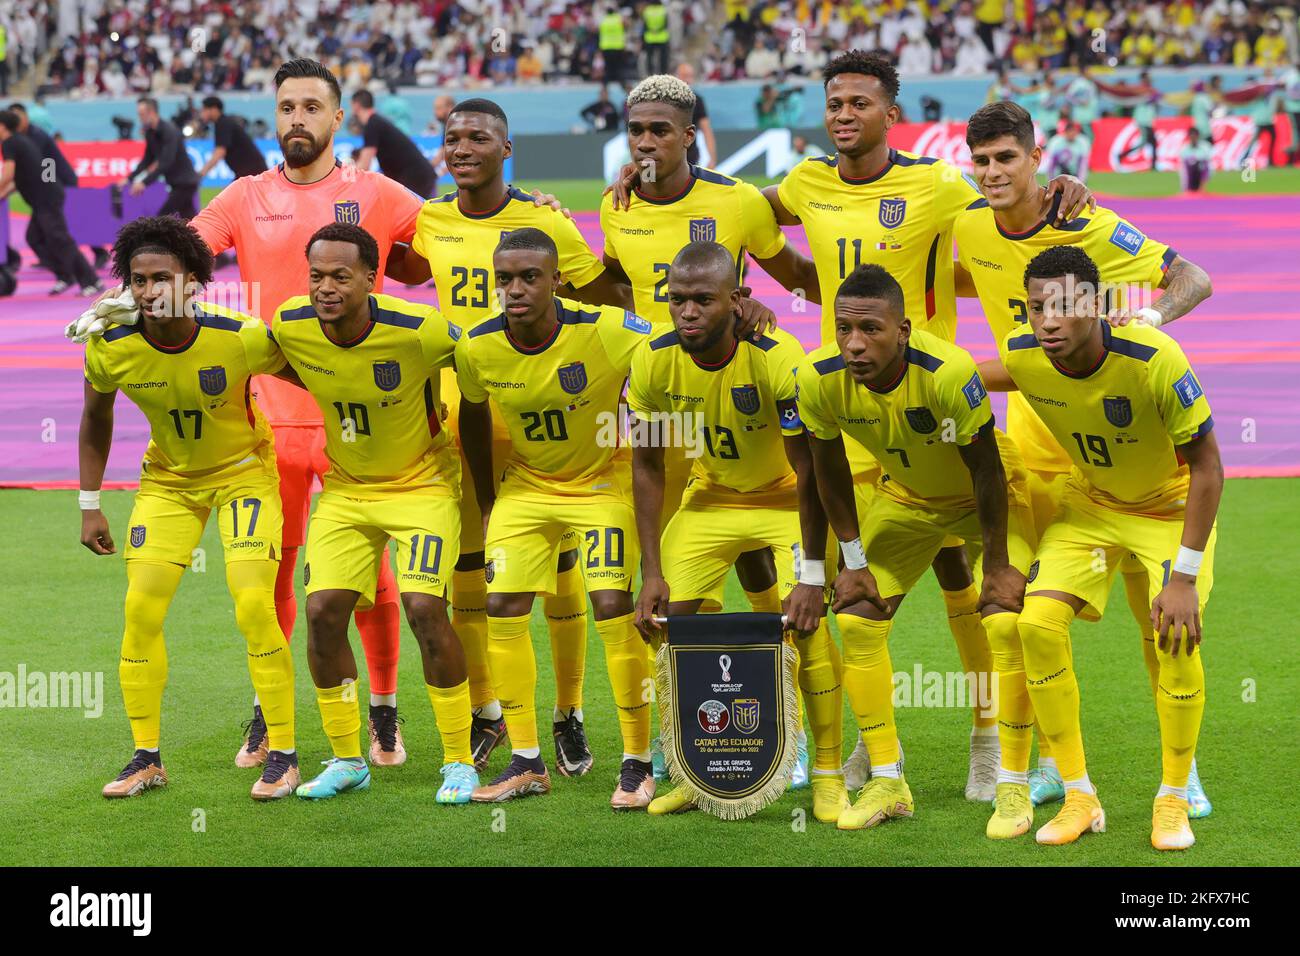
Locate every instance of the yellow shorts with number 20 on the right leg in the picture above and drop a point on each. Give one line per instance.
(527, 534)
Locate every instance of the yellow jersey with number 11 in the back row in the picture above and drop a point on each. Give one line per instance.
(900, 219)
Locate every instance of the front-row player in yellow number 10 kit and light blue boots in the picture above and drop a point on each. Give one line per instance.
(371, 362)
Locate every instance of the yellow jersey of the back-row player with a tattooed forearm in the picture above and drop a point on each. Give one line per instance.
(996, 262)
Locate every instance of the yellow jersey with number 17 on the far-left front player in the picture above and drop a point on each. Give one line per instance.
(203, 421)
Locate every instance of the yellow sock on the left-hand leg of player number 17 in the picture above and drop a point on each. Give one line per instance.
(142, 668)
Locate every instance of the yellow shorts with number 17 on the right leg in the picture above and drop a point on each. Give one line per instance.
(167, 524)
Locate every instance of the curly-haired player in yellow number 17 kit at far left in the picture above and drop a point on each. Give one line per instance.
(188, 366)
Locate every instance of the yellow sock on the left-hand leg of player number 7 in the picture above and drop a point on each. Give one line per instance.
(869, 682)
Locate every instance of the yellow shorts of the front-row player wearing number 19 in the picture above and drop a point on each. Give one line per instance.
(1087, 543)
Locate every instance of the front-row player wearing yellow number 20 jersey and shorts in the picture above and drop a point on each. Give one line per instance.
(556, 371)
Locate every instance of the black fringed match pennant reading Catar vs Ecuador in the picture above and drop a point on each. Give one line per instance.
(727, 702)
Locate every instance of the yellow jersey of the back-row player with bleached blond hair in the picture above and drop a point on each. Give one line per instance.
(647, 237)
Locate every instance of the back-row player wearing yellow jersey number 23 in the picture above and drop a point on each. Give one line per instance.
(457, 235)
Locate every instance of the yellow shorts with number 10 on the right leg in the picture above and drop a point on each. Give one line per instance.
(346, 539)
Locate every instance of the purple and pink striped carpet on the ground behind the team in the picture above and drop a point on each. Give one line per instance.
(1245, 341)
